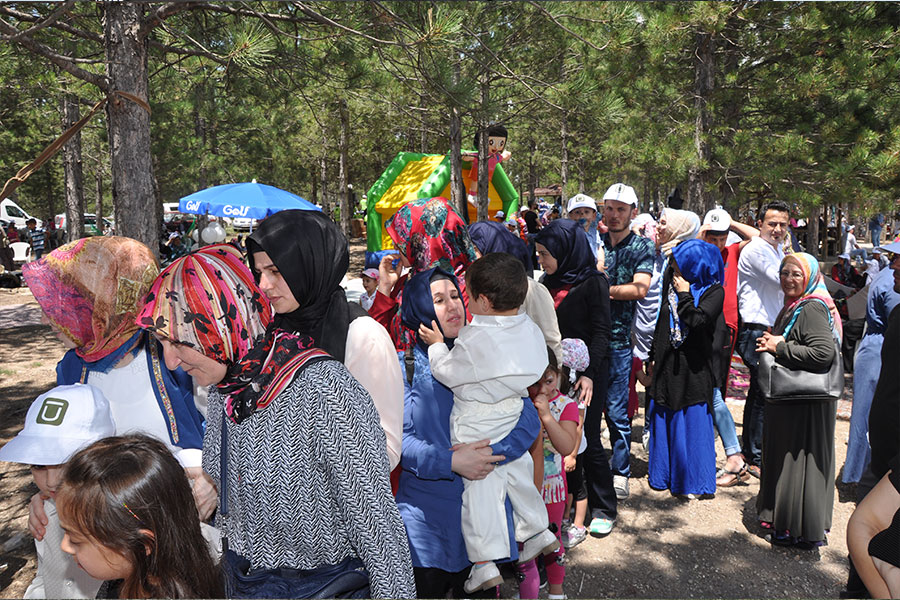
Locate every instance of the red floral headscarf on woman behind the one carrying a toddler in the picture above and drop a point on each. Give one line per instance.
(430, 234)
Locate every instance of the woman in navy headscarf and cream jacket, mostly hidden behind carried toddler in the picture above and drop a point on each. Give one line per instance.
(490, 236)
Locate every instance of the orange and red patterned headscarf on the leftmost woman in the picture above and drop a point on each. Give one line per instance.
(91, 289)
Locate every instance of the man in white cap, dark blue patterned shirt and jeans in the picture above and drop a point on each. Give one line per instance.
(629, 266)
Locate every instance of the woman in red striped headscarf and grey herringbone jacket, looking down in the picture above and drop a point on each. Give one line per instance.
(293, 440)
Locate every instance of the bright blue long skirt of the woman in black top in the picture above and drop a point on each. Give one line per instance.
(682, 450)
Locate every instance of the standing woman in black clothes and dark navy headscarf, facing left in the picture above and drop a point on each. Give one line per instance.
(581, 296)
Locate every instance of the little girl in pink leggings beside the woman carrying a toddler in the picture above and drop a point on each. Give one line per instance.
(559, 418)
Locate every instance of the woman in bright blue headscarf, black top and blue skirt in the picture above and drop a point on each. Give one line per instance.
(682, 440)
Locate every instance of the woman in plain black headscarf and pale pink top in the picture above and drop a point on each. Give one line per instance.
(299, 258)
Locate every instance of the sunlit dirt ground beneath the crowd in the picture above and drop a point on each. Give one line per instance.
(661, 547)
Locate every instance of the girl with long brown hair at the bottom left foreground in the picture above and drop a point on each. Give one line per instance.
(129, 519)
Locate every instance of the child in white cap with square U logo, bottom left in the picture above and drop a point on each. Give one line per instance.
(58, 424)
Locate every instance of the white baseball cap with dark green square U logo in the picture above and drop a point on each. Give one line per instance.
(58, 424)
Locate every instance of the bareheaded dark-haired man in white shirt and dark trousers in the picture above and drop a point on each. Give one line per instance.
(759, 300)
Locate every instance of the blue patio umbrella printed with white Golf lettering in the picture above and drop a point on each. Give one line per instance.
(249, 200)
